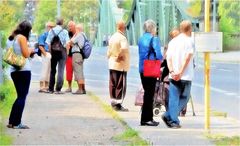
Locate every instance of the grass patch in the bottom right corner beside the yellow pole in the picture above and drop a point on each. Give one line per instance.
(221, 140)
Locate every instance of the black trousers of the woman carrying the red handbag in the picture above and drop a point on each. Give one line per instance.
(148, 84)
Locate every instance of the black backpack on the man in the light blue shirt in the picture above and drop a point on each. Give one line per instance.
(56, 44)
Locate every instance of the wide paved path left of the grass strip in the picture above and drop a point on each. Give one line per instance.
(65, 119)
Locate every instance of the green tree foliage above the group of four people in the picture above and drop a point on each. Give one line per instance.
(80, 11)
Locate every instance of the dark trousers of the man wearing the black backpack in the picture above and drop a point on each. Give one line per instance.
(58, 58)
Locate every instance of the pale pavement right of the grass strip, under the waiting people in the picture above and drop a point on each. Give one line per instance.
(191, 133)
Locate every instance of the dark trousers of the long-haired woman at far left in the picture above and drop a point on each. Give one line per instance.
(21, 80)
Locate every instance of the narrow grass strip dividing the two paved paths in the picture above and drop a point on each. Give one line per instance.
(129, 135)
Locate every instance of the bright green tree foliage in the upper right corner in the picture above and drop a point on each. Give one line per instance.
(229, 22)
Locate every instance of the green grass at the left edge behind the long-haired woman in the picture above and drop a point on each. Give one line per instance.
(8, 95)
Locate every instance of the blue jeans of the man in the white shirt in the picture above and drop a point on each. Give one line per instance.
(179, 94)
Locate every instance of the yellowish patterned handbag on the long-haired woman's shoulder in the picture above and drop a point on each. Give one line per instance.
(11, 58)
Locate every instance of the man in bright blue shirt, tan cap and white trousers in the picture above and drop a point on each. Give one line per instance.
(46, 56)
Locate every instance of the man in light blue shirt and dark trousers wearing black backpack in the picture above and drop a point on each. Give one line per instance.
(58, 56)
